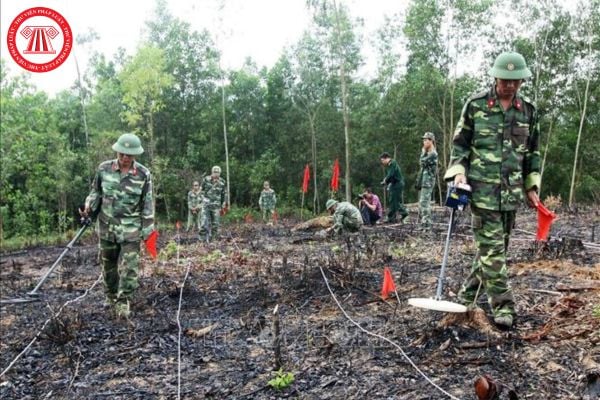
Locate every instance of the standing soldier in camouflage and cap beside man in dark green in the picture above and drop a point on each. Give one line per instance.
(426, 178)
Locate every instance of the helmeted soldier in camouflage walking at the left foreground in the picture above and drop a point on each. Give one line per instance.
(121, 198)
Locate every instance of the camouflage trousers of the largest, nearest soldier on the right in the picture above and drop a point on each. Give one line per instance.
(489, 272)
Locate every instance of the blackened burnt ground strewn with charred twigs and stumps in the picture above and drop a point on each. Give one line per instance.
(227, 318)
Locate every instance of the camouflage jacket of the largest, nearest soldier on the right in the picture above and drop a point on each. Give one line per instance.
(497, 150)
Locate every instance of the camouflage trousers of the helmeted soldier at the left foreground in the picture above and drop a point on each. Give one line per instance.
(120, 263)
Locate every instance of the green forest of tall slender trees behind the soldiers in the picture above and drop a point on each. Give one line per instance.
(310, 107)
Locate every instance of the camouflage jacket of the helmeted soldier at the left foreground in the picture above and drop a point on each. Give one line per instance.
(123, 203)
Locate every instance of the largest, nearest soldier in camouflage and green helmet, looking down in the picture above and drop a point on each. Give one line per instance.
(495, 148)
